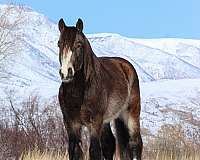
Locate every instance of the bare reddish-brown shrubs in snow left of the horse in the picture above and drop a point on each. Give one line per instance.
(30, 124)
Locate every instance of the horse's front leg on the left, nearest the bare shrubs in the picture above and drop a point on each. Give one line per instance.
(74, 148)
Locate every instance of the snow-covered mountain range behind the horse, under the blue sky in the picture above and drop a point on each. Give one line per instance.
(169, 70)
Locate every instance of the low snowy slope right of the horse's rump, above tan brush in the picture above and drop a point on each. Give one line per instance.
(162, 101)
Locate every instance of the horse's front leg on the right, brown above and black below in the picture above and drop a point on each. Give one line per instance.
(95, 151)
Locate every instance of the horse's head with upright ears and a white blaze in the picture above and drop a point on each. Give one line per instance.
(70, 45)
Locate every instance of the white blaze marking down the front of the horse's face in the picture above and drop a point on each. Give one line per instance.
(66, 62)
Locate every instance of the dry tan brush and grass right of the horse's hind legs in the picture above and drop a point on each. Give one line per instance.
(171, 144)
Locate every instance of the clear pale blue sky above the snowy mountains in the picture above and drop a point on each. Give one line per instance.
(132, 18)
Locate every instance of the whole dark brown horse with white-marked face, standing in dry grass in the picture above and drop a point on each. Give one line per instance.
(95, 91)
